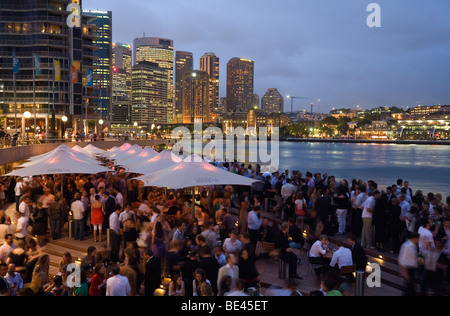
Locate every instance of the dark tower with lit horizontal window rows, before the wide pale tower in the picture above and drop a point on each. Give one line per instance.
(149, 96)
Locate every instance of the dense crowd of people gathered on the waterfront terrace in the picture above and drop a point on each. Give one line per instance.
(211, 248)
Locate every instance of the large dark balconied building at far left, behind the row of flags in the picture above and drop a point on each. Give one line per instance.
(40, 38)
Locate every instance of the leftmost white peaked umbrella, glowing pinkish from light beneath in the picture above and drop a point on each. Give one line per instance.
(60, 162)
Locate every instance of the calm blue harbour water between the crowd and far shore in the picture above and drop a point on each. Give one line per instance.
(426, 167)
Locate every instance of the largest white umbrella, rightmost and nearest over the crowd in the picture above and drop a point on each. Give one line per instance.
(193, 172)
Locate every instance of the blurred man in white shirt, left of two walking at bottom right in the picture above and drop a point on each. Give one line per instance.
(408, 262)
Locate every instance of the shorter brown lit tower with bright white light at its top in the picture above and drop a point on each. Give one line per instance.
(196, 103)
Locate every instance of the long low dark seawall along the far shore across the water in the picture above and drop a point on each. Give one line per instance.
(367, 141)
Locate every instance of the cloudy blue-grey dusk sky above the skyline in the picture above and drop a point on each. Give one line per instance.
(322, 49)
